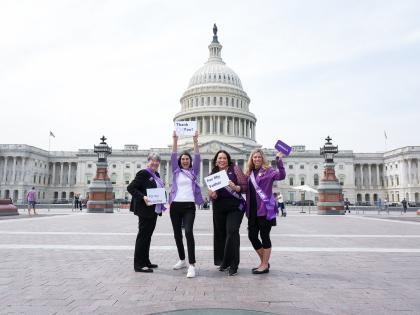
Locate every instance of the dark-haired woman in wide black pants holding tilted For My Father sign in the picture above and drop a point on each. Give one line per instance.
(228, 211)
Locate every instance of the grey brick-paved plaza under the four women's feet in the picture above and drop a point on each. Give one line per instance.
(68, 262)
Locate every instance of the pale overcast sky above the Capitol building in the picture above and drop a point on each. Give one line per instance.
(348, 69)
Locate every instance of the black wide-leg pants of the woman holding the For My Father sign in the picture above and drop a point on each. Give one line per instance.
(227, 219)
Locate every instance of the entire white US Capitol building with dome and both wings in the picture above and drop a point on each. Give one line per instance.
(216, 100)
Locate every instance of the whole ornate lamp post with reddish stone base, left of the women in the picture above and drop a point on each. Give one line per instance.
(101, 199)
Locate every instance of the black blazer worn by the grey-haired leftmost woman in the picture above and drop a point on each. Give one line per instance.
(137, 189)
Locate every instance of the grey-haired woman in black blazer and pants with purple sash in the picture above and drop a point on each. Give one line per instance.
(147, 213)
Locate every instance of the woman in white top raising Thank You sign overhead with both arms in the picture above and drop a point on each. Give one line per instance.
(185, 194)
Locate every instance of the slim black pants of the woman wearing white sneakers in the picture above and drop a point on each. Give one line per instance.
(184, 212)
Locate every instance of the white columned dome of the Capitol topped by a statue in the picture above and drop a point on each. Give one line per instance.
(216, 100)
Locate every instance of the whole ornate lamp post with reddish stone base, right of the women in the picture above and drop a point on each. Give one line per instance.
(330, 190)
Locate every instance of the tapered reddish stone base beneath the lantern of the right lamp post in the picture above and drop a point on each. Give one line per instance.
(330, 193)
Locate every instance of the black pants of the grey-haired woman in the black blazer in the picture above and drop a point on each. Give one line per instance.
(144, 237)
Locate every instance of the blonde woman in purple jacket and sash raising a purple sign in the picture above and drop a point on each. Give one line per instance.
(261, 210)
